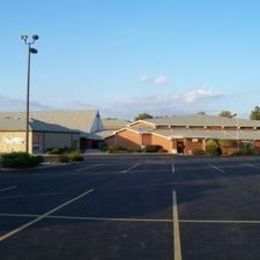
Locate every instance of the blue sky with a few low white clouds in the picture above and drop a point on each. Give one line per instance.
(126, 57)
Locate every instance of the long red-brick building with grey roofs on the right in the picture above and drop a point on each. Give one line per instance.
(184, 134)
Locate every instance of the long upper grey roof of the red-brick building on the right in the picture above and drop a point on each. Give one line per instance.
(202, 120)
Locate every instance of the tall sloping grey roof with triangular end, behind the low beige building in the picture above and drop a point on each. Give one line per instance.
(84, 121)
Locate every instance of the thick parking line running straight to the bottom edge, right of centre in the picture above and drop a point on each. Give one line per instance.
(176, 229)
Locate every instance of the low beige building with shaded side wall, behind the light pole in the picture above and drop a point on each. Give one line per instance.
(42, 136)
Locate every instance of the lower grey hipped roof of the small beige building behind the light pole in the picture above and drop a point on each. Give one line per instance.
(19, 124)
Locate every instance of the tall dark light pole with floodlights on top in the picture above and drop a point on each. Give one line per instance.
(28, 41)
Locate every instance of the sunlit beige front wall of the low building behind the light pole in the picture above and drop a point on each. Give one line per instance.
(14, 142)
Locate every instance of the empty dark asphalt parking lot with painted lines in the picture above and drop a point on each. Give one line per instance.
(133, 207)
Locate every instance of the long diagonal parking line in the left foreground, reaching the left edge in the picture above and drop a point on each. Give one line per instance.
(30, 223)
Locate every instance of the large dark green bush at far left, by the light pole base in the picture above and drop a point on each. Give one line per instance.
(20, 160)
